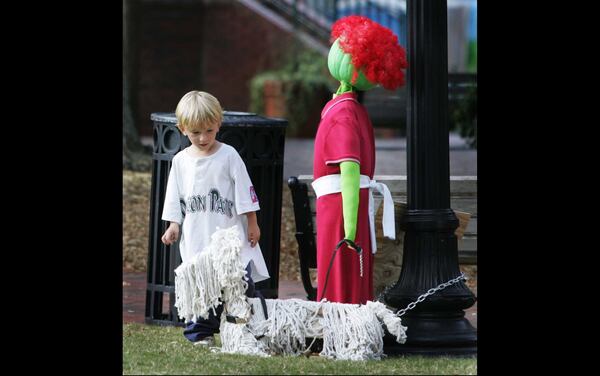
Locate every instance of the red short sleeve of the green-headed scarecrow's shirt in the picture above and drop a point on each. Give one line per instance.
(342, 143)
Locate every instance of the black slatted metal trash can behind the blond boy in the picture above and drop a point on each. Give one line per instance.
(260, 142)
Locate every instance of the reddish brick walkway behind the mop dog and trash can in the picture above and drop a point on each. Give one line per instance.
(134, 297)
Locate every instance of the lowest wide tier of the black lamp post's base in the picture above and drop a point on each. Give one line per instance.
(434, 336)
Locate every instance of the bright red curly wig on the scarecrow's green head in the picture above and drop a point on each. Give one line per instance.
(374, 49)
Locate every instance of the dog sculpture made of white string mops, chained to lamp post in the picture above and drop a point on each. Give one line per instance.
(216, 276)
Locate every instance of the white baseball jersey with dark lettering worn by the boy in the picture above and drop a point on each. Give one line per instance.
(204, 193)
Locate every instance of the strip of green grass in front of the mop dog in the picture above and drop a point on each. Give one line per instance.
(149, 349)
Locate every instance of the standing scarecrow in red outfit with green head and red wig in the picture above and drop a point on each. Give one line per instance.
(364, 54)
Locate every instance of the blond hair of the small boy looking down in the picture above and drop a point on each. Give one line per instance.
(197, 110)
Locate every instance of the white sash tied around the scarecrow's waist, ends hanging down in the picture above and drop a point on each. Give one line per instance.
(331, 184)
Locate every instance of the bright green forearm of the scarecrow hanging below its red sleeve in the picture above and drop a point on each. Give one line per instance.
(350, 184)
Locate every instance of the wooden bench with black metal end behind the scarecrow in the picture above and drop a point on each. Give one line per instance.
(388, 259)
